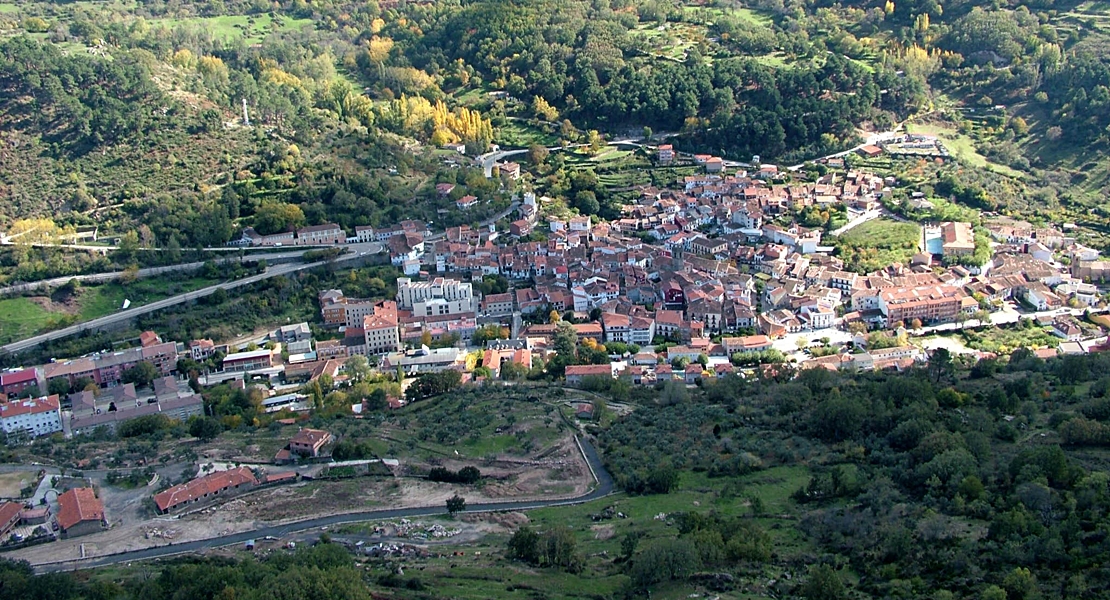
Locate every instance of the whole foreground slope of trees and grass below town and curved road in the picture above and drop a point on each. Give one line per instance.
(952, 481)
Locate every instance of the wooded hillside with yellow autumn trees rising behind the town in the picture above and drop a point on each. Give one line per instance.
(349, 101)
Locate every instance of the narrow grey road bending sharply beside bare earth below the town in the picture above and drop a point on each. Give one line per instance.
(601, 476)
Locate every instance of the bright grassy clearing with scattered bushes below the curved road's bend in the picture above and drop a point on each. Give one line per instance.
(485, 573)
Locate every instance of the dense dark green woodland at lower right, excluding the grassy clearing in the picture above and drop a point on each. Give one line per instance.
(951, 481)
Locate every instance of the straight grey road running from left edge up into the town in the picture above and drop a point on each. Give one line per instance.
(147, 309)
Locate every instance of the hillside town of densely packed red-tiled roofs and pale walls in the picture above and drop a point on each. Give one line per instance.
(711, 276)
